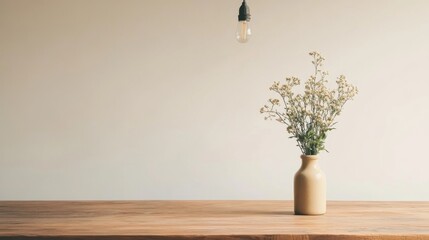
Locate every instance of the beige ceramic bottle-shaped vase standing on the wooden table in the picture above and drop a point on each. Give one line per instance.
(310, 188)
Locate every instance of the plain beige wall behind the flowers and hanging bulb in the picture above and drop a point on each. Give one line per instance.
(155, 99)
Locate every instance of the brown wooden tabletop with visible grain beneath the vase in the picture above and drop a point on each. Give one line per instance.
(210, 220)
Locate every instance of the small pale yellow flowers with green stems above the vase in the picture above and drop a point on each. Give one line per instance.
(309, 116)
